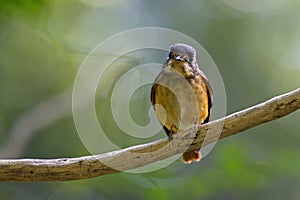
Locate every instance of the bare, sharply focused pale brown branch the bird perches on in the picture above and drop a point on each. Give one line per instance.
(64, 169)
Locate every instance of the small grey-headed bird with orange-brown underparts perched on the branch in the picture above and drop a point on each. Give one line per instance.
(182, 95)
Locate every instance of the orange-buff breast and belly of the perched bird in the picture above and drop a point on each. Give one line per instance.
(181, 102)
